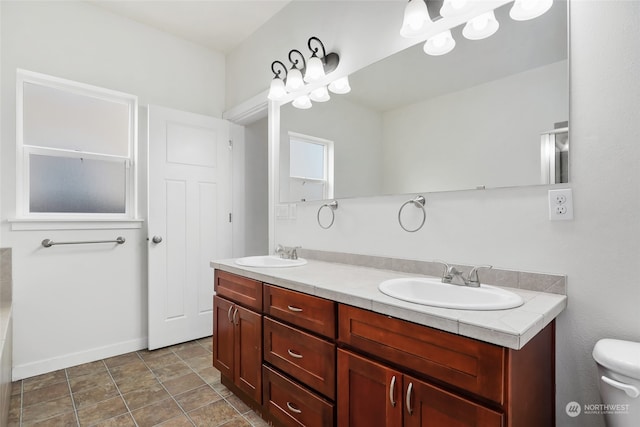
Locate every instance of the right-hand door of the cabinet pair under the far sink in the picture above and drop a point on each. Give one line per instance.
(248, 350)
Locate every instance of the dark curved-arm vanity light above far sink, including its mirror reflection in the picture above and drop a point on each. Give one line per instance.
(294, 80)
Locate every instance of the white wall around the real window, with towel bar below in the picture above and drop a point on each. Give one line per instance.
(78, 303)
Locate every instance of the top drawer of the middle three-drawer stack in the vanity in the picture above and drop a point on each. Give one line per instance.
(306, 311)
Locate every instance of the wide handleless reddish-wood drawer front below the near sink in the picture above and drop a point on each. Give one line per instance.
(465, 363)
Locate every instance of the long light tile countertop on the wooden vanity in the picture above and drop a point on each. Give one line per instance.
(358, 286)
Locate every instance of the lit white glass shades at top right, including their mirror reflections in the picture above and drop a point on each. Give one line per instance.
(416, 21)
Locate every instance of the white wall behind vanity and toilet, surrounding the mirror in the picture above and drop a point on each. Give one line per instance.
(509, 228)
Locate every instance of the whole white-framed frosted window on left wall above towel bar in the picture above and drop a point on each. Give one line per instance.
(76, 149)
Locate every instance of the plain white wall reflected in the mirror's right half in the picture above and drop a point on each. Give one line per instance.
(497, 125)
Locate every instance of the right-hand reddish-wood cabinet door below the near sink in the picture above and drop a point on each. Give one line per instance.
(428, 406)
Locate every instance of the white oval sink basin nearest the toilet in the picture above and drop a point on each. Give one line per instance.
(435, 293)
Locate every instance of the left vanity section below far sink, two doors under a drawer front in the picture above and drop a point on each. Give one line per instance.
(237, 335)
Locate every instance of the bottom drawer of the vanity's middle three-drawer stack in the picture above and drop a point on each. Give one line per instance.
(292, 405)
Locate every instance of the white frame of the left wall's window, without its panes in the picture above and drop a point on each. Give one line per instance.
(23, 151)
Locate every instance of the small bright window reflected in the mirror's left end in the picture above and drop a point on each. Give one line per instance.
(310, 167)
